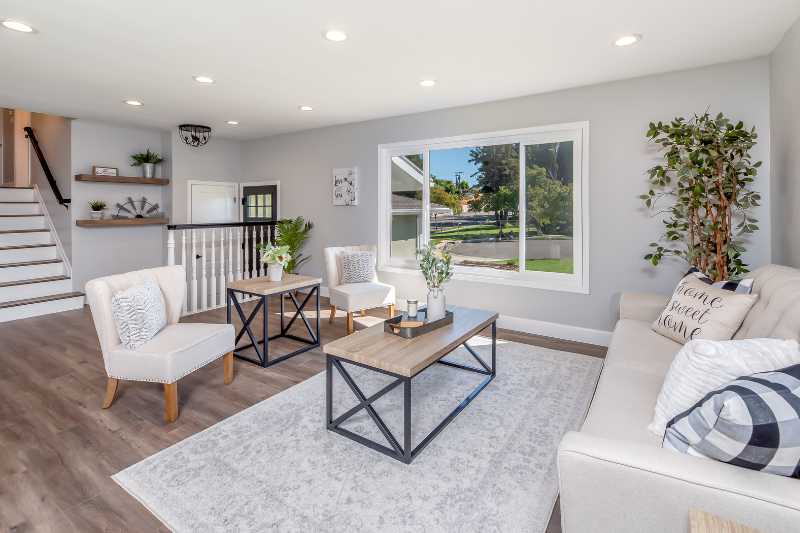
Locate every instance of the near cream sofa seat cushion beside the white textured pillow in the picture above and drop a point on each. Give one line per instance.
(623, 406)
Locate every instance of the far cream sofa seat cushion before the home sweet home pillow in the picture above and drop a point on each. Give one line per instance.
(636, 346)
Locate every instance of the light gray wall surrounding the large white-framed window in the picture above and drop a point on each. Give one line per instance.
(621, 228)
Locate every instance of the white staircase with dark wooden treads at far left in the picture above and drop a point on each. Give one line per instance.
(34, 277)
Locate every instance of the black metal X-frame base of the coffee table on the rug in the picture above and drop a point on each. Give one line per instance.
(402, 453)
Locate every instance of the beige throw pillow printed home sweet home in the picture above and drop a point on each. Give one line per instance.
(700, 311)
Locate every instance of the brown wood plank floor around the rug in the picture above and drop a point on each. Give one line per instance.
(58, 448)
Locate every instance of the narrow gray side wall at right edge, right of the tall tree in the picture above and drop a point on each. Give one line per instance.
(785, 147)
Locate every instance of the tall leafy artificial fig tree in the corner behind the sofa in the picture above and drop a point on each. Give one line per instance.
(707, 172)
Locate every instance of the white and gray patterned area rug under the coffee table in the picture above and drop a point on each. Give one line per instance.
(274, 467)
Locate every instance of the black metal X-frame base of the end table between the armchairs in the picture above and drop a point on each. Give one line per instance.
(263, 356)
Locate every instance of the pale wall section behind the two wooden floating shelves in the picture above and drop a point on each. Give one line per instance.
(100, 252)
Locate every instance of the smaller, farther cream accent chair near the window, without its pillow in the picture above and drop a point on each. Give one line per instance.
(354, 297)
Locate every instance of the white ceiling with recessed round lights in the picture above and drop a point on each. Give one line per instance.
(268, 56)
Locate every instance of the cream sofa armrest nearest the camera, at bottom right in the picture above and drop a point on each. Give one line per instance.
(615, 486)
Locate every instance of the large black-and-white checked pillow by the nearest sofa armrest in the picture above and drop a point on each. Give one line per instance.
(752, 422)
